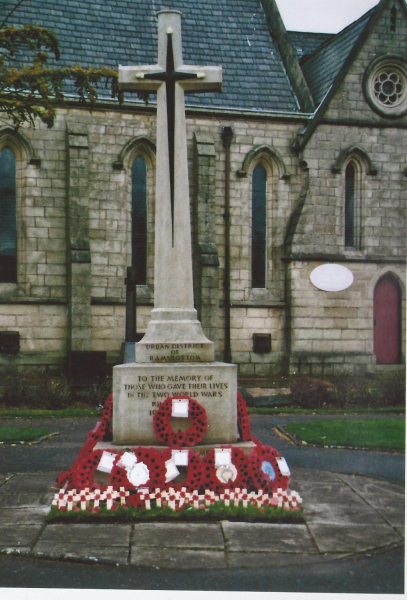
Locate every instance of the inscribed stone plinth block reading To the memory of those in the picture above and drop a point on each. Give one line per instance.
(139, 389)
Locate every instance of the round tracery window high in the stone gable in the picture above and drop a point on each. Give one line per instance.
(386, 86)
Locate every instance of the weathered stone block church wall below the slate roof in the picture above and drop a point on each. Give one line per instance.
(74, 238)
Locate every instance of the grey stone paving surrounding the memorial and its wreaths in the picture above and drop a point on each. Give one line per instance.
(347, 511)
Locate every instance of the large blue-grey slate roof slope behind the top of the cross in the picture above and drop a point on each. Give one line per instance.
(231, 33)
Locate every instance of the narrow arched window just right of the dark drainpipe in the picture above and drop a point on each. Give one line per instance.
(259, 227)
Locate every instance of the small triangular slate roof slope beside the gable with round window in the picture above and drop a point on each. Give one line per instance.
(321, 68)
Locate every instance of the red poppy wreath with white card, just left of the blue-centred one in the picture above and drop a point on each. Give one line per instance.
(239, 461)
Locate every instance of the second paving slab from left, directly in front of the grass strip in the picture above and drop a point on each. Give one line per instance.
(179, 535)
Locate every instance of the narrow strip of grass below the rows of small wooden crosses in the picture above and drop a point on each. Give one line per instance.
(214, 513)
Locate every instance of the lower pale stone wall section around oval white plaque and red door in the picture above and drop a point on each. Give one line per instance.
(332, 332)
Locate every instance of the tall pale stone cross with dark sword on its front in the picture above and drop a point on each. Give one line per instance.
(170, 79)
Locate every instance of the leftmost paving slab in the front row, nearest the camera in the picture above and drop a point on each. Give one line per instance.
(104, 554)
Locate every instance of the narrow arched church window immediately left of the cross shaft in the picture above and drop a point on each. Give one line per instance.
(139, 219)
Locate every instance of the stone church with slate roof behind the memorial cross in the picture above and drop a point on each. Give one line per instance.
(300, 162)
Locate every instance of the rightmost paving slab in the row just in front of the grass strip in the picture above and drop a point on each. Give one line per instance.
(355, 538)
